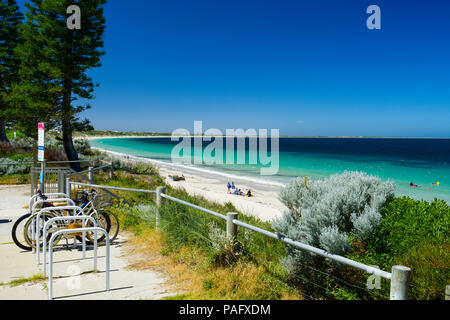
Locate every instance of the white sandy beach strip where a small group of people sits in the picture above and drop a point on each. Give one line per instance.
(264, 204)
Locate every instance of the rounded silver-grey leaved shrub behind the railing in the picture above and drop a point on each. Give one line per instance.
(325, 212)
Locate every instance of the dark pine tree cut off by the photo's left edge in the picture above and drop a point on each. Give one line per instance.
(10, 20)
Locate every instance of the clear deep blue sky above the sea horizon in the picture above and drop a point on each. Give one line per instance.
(304, 67)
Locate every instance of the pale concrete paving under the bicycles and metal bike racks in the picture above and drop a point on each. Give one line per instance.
(73, 277)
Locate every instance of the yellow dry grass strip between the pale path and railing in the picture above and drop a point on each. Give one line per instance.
(190, 274)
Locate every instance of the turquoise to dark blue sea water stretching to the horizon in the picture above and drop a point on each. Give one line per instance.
(422, 161)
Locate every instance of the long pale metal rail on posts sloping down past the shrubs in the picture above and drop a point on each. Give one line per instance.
(399, 277)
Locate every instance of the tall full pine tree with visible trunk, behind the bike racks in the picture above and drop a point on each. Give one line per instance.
(55, 61)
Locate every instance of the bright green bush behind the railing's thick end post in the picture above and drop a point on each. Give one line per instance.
(413, 233)
